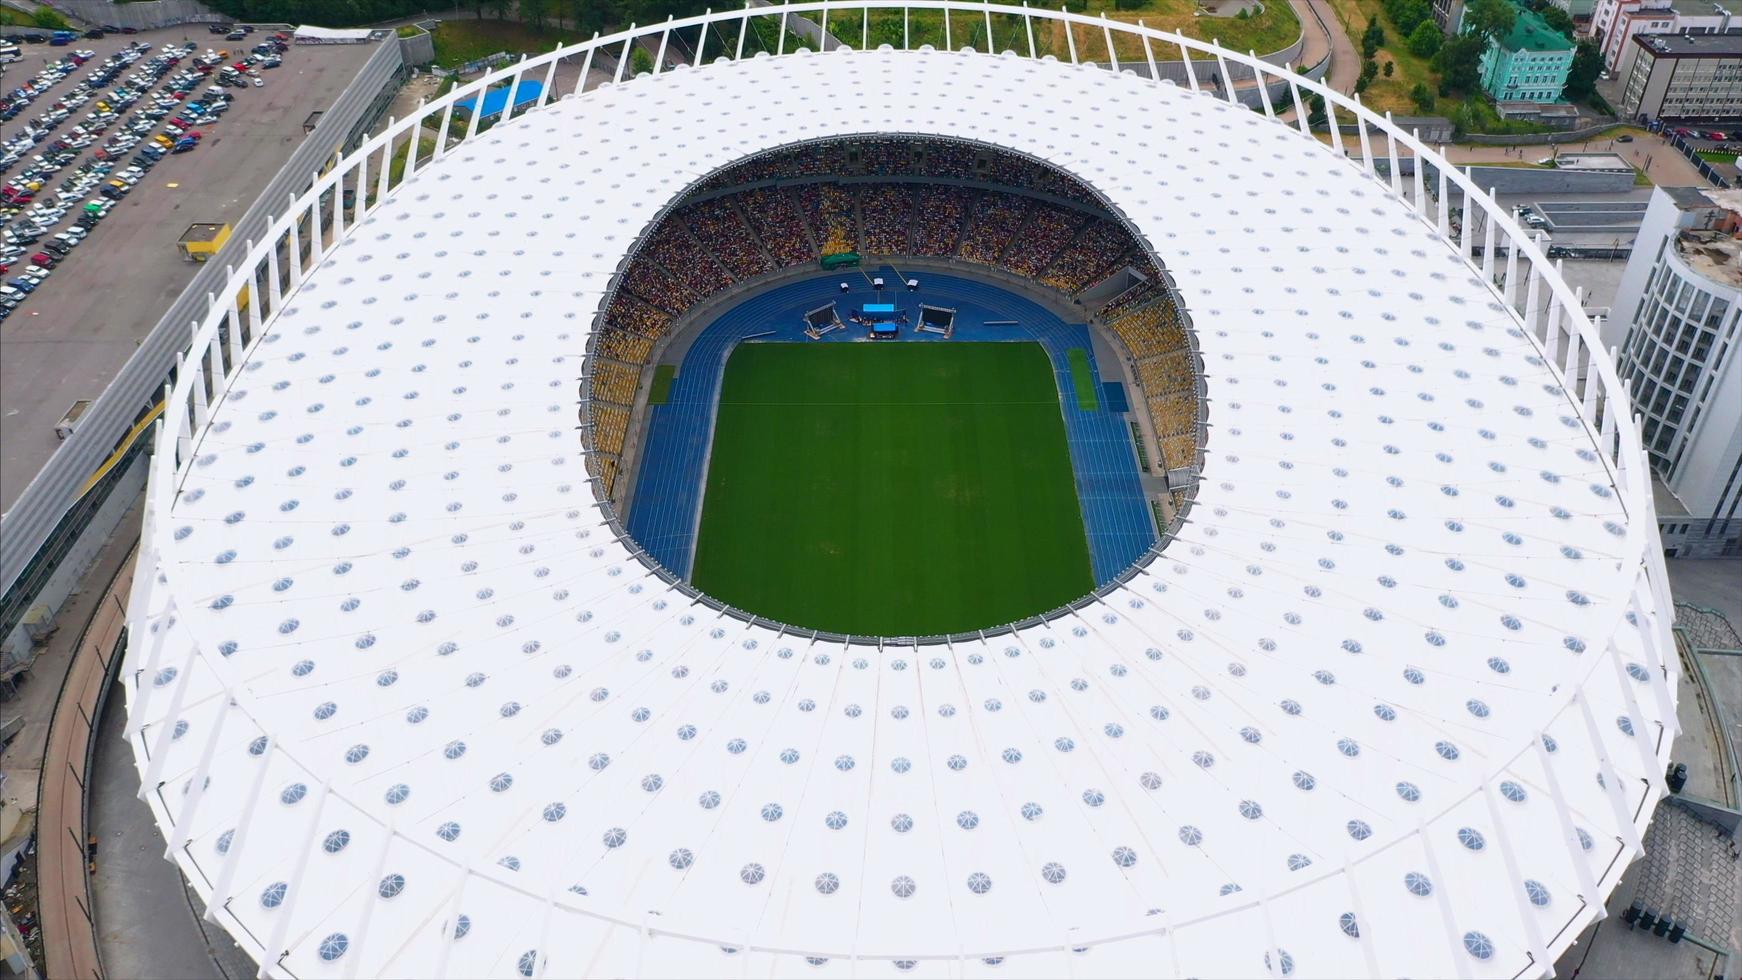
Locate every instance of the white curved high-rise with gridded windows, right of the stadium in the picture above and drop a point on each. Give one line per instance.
(1678, 337)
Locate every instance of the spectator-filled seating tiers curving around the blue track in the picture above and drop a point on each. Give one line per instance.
(792, 208)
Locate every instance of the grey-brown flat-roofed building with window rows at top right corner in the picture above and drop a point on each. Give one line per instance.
(1685, 77)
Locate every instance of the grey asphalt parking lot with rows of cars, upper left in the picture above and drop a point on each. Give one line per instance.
(78, 330)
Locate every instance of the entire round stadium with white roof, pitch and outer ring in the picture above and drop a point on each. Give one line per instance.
(901, 513)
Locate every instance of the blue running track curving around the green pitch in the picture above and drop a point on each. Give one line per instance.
(666, 507)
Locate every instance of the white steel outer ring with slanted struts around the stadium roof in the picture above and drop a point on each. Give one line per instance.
(1563, 333)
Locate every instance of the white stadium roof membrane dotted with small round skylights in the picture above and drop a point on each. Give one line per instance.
(1349, 723)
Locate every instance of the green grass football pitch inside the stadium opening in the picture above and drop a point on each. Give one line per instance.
(893, 490)
